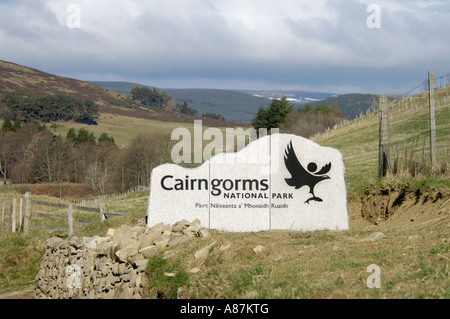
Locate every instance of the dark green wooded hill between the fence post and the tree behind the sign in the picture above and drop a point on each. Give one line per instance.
(351, 105)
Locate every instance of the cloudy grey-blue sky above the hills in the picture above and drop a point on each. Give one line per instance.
(339, 46)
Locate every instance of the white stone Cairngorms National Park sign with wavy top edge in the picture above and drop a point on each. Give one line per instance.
(278, 182)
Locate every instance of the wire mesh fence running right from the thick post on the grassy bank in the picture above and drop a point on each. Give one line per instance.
(419, 128)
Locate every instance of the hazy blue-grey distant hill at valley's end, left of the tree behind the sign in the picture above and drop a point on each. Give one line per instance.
(234, 106)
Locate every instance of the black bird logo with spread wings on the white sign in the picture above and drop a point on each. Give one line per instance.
(301, 177)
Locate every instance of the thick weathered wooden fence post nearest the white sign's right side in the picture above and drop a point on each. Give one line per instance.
(383, 155)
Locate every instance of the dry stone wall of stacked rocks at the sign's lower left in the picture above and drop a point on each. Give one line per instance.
(107, 267)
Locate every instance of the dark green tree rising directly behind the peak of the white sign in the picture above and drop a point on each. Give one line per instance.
(273, 116)
